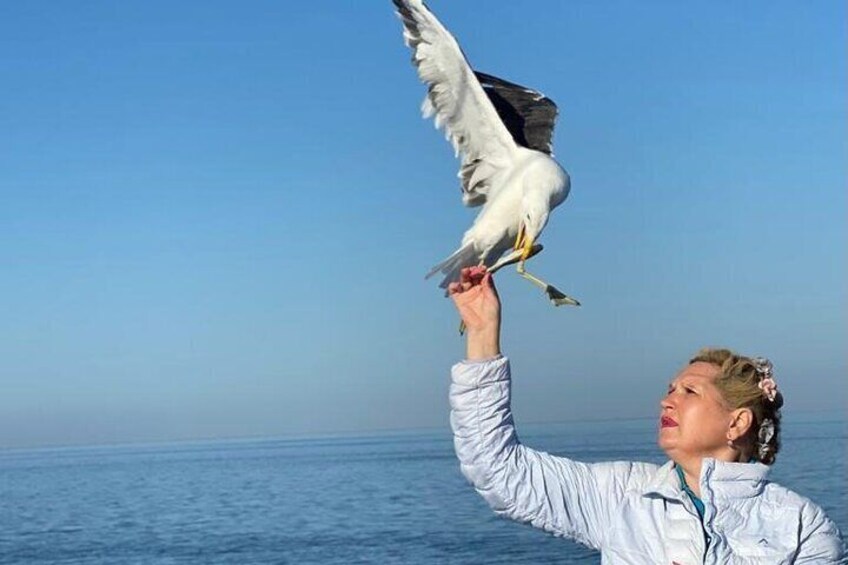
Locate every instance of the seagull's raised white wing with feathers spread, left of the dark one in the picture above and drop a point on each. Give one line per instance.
(458, 101)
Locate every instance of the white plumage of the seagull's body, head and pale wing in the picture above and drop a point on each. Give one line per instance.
(511, 182)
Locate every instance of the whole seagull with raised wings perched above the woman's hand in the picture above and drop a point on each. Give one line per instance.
(502, 133)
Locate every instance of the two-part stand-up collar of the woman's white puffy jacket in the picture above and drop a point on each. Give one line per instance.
(725, 480)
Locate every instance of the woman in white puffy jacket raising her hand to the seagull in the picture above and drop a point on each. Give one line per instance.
(711, 503)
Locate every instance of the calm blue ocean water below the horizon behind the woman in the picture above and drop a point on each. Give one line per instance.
(395, 498)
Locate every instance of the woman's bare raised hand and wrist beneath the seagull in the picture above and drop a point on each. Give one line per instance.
(480, 308)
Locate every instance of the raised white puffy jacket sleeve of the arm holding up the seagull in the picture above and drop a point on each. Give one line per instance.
(562, 496)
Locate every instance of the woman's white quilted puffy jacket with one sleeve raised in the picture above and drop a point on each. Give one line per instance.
(633, 513)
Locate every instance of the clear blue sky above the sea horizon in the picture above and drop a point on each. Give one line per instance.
(216, 216)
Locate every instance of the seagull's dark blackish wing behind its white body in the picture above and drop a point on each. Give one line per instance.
(528, 115)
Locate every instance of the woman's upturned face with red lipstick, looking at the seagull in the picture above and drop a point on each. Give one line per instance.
(693, 418)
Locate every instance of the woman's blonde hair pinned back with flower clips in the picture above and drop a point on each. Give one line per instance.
(738, 381)
